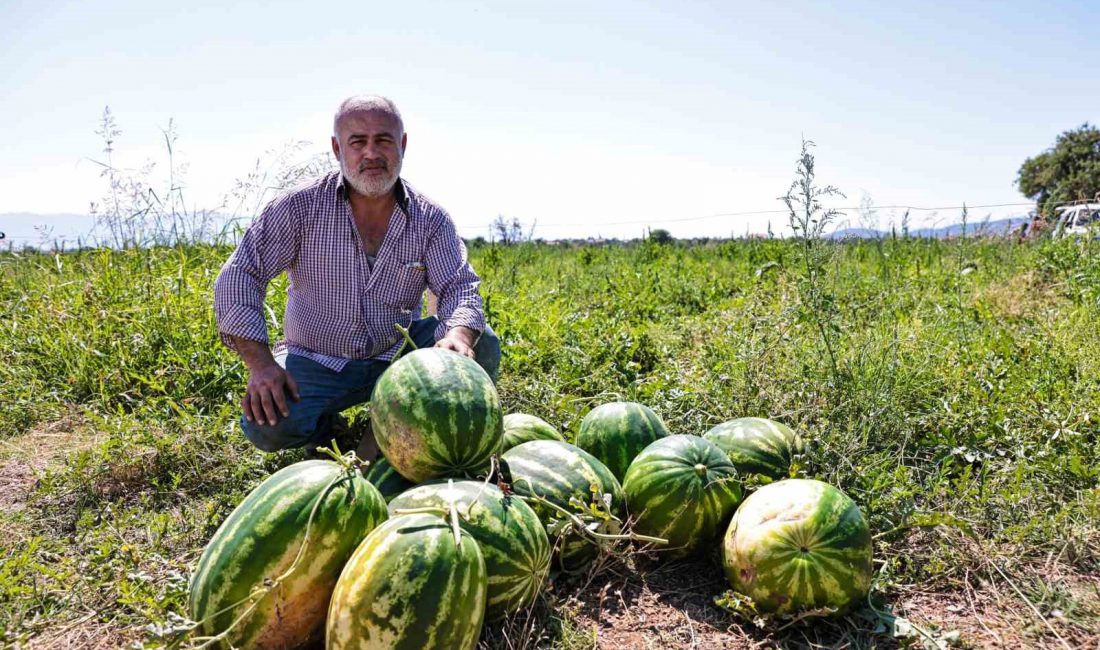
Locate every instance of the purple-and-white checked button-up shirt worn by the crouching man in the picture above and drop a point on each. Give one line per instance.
(338, 306)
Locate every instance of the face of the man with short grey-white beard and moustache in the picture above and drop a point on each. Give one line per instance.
(370, 147)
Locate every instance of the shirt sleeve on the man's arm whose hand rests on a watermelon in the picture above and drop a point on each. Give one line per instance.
(453, 279)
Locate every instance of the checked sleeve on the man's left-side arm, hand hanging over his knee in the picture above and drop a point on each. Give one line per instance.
(270, 247)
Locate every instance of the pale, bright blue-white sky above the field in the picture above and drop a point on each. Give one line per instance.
(581, 119)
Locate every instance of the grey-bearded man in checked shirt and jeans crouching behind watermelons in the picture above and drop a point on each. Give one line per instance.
(360, 247)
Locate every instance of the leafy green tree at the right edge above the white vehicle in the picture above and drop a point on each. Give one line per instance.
(1070, 171)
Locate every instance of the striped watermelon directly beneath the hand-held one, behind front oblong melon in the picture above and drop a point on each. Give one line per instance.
(509, 533)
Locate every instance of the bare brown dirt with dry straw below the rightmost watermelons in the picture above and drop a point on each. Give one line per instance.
(672, 605)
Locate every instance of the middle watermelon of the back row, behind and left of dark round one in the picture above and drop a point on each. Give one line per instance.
(617, 433)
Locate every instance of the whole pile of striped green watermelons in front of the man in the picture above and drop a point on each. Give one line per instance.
(469, 511)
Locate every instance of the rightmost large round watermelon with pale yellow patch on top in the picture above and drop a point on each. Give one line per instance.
(798, 544)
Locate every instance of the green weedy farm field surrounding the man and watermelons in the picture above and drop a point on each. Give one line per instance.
(952, 389)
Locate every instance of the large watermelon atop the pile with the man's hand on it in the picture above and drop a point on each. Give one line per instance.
(436, 413)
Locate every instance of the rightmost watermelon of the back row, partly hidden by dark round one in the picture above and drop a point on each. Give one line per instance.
(758, 446)
